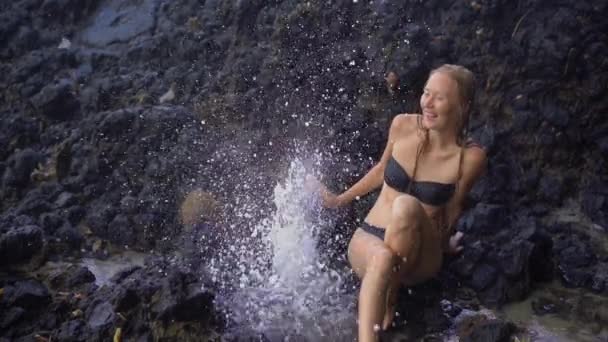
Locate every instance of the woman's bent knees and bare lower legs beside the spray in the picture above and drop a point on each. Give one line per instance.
(389, 265)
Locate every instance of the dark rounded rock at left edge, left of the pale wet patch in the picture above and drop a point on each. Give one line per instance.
(20, 244)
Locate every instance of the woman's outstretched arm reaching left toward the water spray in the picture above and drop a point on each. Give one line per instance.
(375, 176)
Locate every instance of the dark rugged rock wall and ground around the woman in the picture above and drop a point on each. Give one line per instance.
(111, 111)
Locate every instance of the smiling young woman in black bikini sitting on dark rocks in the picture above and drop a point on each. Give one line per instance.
(425, 172)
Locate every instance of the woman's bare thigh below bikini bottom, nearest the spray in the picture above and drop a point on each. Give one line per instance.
(361, 248)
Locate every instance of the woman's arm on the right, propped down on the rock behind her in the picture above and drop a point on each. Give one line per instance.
(473, 166)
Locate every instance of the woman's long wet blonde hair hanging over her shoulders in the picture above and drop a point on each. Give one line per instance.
(465, 81)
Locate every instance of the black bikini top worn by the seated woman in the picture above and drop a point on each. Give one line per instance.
(431, 193)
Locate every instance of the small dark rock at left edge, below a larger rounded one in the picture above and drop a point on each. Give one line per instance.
(28, 294)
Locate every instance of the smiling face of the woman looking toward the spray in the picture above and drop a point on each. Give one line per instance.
(439, 102)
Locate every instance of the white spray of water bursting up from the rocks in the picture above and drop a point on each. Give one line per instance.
(284, 291)
